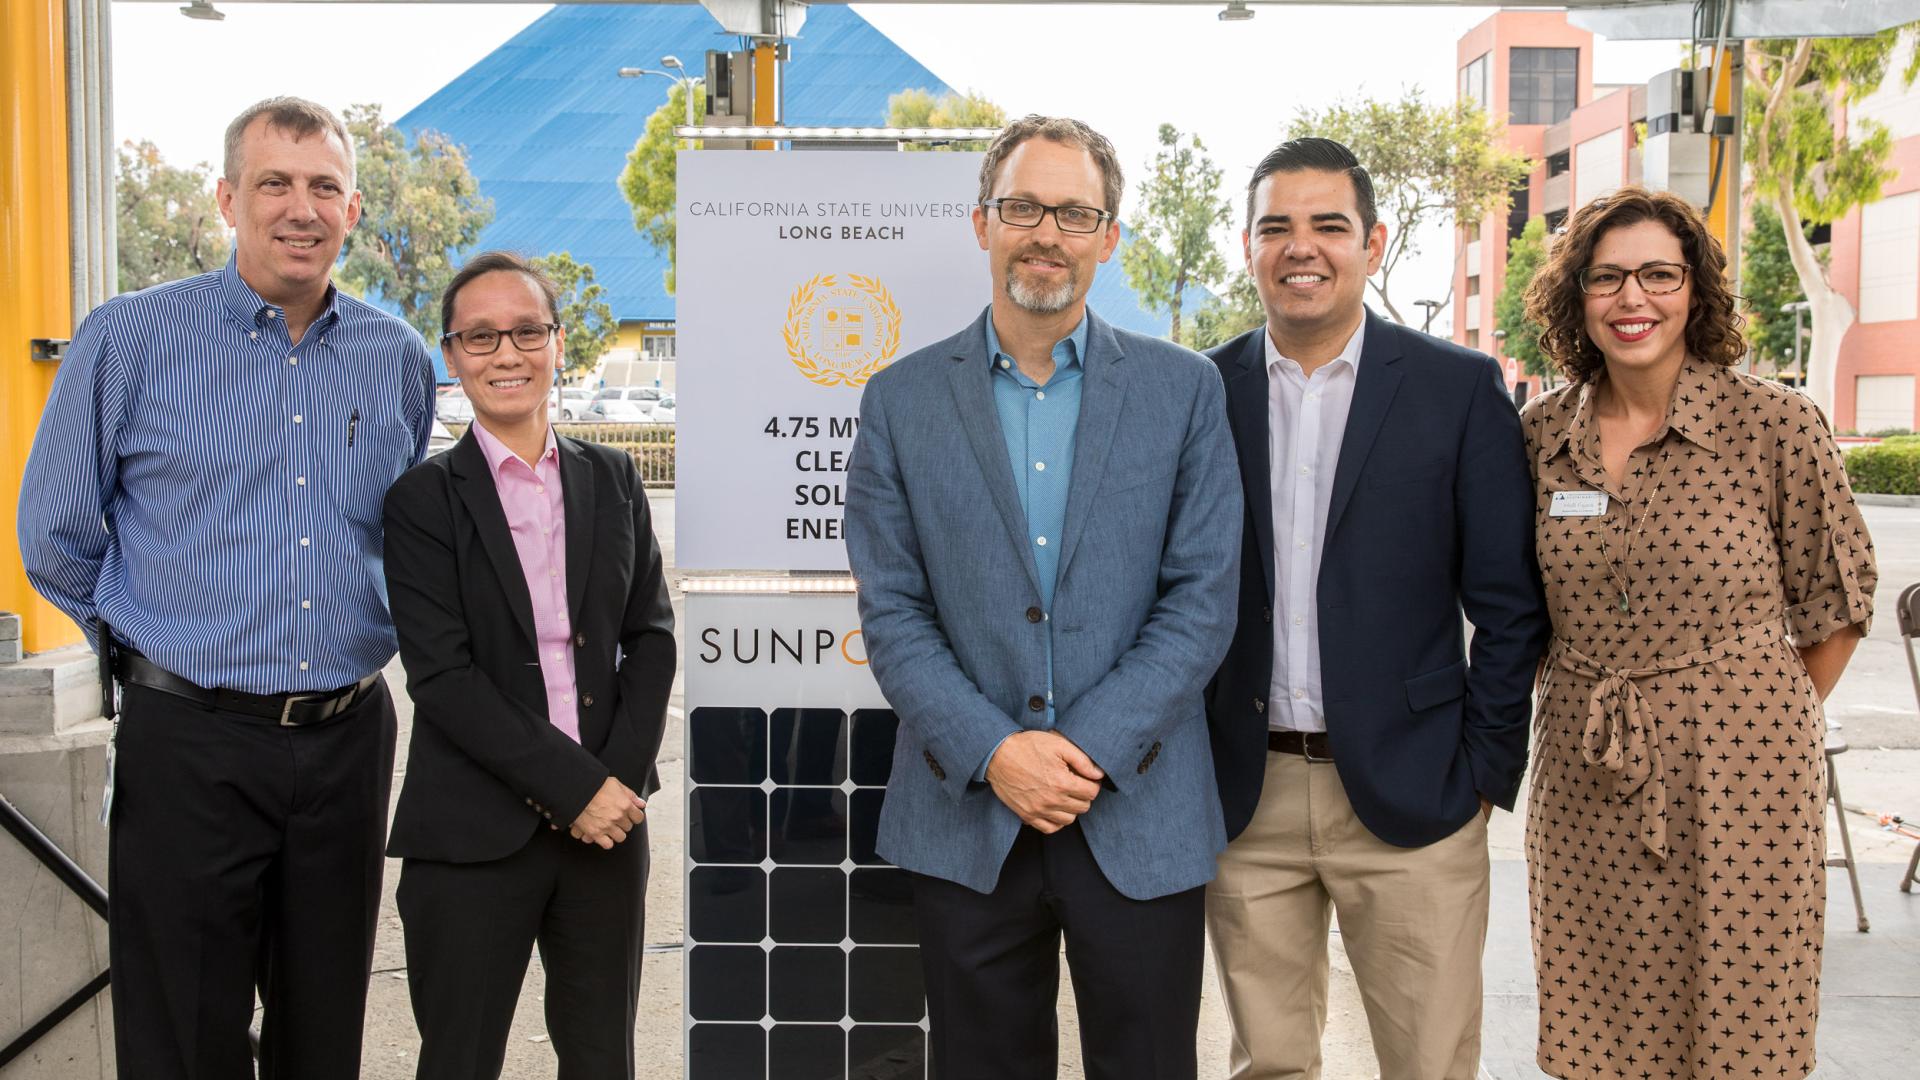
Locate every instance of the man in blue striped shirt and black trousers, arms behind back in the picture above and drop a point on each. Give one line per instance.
(204, 499)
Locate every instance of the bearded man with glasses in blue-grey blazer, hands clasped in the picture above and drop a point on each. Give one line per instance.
(1044, 516)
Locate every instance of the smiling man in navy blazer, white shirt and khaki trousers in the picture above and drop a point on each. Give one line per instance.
(1358, 747)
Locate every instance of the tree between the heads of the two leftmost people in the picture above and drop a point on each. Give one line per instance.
(420, 209)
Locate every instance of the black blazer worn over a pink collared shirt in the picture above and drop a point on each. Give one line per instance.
(487, 768)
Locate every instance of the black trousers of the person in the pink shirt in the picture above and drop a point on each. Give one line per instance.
(473, 927)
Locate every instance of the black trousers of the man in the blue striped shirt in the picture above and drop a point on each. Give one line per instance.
(245, 856)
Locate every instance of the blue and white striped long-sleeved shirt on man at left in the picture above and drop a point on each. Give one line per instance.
(214, 491)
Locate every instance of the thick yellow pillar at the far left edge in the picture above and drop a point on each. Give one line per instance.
(36, 299)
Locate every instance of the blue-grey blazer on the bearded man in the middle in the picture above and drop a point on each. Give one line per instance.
(1143, 604)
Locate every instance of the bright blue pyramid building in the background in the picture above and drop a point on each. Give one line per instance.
(548, 126)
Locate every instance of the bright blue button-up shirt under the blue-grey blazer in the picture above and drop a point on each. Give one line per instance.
(1040, 424)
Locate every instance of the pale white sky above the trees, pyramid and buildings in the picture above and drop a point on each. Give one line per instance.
(1120, 68)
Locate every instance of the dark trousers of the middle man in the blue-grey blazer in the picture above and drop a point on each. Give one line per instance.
(994, 970)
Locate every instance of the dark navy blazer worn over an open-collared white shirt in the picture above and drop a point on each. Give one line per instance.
(1433, 512)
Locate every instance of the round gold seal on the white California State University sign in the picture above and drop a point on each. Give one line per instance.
(842, 330)
